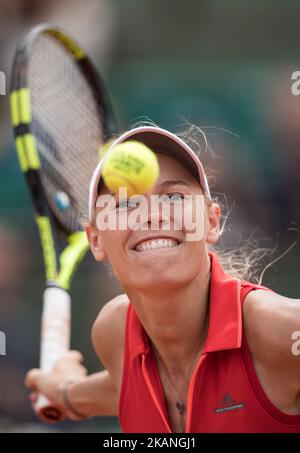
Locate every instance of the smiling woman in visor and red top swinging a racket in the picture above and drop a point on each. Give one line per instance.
(188, 347)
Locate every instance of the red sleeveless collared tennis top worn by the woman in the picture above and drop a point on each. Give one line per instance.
(224, 393)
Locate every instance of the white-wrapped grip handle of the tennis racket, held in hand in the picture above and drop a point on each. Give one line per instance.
(55, 340)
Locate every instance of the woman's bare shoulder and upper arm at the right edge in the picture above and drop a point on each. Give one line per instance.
(272, 325)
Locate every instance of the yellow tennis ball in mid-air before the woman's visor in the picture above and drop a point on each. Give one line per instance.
(132, 165)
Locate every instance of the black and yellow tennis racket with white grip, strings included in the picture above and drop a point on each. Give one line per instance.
(61, 116)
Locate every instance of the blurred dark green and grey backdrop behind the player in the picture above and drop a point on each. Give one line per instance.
(223, 65)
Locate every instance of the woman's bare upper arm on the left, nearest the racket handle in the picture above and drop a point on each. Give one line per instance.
(108, 334)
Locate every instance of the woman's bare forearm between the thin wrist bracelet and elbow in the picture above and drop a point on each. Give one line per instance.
(94, 395)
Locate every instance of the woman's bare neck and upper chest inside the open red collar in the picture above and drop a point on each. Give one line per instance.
(176, 321)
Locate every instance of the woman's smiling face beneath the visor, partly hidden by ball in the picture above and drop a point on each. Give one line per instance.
(162, 257)
